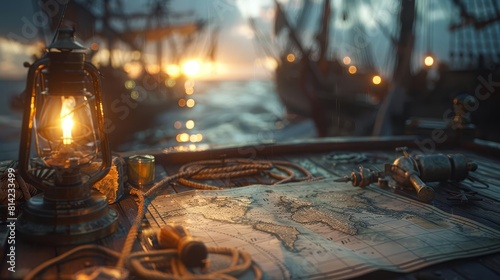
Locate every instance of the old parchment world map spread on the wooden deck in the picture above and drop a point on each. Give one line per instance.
(325, 229)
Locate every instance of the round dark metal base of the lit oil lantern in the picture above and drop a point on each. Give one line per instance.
(66, 222)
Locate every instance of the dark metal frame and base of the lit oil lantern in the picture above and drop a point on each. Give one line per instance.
(69, 210)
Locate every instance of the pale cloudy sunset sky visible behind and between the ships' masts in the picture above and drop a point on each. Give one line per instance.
(238, 55)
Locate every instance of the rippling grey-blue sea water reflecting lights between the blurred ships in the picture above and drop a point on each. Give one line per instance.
(224, 112)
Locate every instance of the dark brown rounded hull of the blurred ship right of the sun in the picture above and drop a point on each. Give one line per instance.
(343, 104)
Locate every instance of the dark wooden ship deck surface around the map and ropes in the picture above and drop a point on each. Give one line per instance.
(328, 158)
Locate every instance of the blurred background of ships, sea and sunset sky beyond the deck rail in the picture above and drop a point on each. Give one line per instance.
(197, 72)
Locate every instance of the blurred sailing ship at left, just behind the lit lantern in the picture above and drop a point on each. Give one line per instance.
(137, 86)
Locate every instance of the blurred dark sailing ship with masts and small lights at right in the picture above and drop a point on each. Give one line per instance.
(347, 94)
